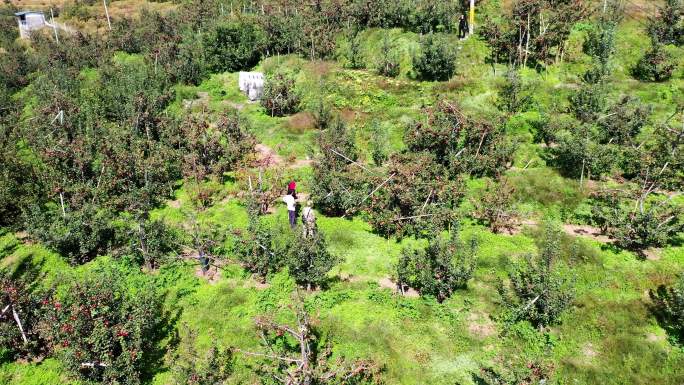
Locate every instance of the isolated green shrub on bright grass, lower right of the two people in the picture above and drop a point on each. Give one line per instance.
(443, 267)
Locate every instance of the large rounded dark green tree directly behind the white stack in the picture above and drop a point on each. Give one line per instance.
(234, 46)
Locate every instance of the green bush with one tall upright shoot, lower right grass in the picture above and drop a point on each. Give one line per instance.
(537, 290)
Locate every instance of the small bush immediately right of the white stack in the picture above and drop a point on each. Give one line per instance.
(280, 97)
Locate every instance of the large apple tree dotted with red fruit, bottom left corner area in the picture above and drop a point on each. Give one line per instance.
(101, 330)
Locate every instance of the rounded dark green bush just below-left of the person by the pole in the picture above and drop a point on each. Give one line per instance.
(436, 60)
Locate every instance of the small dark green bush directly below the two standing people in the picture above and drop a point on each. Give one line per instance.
(308, 259)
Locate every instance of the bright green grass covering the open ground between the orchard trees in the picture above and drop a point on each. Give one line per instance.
(609, 337)
